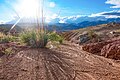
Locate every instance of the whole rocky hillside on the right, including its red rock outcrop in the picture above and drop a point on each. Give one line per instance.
(102, 40)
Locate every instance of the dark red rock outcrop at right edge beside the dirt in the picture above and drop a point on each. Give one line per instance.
(109, 49)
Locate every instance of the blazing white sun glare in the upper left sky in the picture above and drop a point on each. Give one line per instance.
(28, 8)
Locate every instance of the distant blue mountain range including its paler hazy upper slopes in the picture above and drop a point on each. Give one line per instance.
(77, 24)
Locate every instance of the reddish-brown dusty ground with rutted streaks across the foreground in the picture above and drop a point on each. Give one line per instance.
(68, 62)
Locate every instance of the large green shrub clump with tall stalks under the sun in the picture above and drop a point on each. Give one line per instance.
(34, 39)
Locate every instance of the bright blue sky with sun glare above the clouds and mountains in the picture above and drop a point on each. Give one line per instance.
(9, 9)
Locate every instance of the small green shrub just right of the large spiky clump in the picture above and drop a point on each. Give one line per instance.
(56, 37)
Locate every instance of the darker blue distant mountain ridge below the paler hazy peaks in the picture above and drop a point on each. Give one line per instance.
(73, 26)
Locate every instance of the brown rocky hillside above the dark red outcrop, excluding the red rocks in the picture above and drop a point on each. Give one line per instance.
(93, 34)
